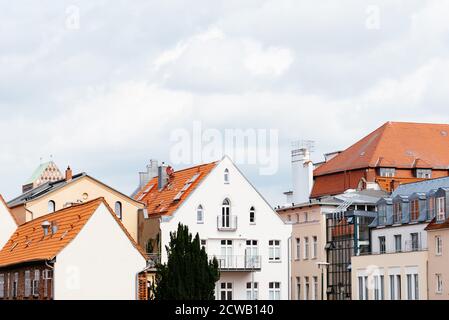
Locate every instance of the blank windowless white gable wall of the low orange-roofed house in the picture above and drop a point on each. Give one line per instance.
(100, 263)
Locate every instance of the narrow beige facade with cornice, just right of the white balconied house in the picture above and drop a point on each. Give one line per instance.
(308, 243)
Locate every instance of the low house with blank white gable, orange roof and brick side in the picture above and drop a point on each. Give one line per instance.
(79, 253)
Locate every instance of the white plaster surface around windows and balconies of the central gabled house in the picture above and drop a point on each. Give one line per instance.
(269, 226)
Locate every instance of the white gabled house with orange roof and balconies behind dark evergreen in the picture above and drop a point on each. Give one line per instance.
(235, 224)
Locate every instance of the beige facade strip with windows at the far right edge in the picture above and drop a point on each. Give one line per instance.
(438, 273)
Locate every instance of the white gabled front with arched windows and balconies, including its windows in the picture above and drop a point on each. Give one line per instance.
(242, 245)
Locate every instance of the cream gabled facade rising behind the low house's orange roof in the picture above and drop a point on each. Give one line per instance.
(80, 190)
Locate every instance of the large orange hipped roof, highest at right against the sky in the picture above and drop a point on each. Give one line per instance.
(395, 144)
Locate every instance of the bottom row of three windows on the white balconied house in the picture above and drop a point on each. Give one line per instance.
(226, 291)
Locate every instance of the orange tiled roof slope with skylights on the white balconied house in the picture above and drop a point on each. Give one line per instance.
(162, 202)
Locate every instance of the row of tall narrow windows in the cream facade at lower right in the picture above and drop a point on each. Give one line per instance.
(395, 281)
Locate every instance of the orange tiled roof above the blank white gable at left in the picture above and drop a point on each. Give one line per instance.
(28, 242)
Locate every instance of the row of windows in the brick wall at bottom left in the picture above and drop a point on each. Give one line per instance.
(9, 283)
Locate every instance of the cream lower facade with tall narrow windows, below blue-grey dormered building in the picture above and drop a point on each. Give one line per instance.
(394, 276)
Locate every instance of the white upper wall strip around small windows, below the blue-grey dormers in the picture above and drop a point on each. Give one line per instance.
(405, 231)
